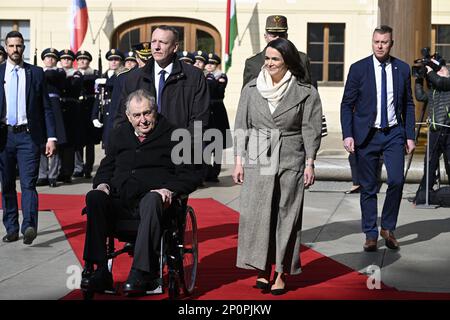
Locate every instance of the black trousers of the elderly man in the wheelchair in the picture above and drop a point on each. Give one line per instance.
(104, 211)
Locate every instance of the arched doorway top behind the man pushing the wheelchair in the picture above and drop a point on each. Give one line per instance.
(194, 34)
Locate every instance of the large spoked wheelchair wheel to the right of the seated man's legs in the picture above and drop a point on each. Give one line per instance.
(189, 253)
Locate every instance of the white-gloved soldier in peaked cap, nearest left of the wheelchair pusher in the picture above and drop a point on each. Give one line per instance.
(103, 114)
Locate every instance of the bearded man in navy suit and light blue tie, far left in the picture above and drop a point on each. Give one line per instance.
(27, 122)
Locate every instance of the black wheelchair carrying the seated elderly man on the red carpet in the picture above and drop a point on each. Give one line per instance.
(178, 250)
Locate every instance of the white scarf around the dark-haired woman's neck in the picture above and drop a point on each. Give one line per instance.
(272, 93)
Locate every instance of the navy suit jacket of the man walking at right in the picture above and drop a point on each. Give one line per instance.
(359, 103)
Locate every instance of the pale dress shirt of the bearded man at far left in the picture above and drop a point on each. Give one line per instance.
(21, 94)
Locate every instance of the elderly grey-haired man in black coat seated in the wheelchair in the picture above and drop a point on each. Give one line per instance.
(137, 178)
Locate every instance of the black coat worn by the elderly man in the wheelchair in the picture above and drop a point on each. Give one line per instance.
(132, 168)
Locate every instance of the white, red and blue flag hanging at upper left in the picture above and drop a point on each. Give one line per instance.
(79, 20)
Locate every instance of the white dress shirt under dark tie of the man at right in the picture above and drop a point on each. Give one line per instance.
(392, 119)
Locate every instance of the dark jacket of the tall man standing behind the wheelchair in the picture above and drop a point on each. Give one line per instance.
(185, 97)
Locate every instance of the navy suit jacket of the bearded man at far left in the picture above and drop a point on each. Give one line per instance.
(40, 117)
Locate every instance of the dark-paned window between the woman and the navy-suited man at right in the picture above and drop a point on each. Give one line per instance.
(326, 51)
